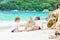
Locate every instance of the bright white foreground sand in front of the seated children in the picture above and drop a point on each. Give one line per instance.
(36, 35)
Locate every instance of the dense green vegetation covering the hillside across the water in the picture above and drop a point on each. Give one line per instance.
(37, 5)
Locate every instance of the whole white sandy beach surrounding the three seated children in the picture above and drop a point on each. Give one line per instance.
(5, 27)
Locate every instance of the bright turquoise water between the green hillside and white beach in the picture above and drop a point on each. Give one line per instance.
(10, 15)
